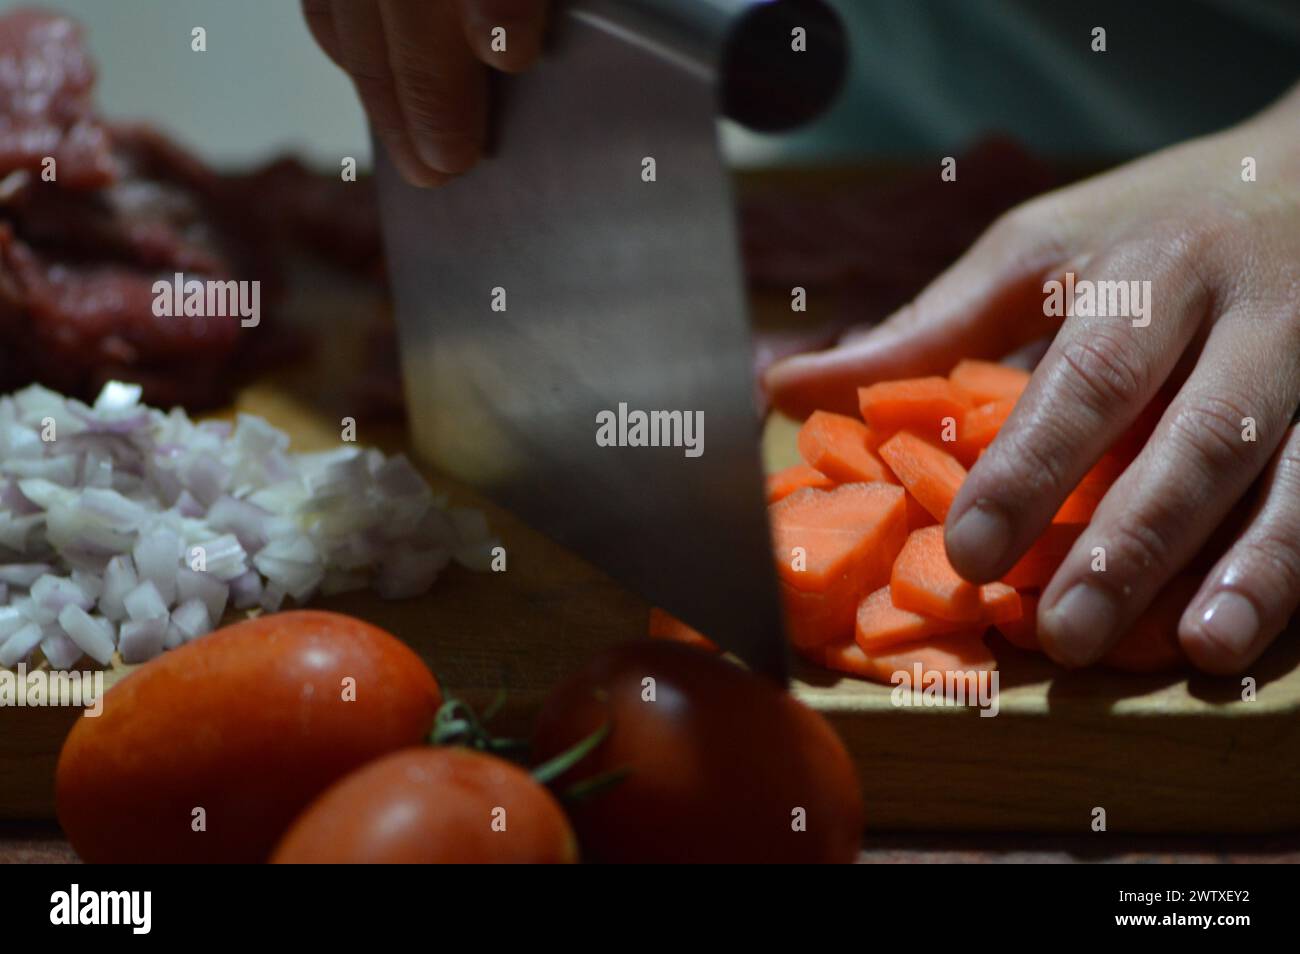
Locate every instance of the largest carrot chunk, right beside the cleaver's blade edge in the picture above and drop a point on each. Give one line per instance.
(833, 547)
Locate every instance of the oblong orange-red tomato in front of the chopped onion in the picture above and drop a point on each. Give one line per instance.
(207, 753)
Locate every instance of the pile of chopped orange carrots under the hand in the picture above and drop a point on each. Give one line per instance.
(859, 539)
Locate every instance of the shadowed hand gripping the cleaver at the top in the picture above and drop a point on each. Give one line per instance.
(419, 68)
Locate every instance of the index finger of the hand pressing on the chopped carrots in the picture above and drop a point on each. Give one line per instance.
(1098, 376)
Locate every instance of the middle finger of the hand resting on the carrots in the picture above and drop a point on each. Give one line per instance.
(1199, 463)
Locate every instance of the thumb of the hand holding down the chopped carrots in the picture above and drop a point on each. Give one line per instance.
(985, 306)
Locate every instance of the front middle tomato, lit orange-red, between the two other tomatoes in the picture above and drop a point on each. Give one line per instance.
(432, 806)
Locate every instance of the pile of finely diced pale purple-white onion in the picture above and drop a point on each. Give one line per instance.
(128, 530)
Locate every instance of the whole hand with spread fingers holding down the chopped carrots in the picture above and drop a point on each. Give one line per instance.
(1221, 336)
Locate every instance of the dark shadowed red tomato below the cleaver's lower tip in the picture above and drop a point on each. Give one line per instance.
(721, 765)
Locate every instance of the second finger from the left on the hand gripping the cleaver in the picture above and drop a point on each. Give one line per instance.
(363, 49)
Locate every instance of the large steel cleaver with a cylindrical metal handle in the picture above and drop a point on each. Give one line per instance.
(587, 275)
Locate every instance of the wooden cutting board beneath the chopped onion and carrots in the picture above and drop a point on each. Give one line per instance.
(1155, 753)
